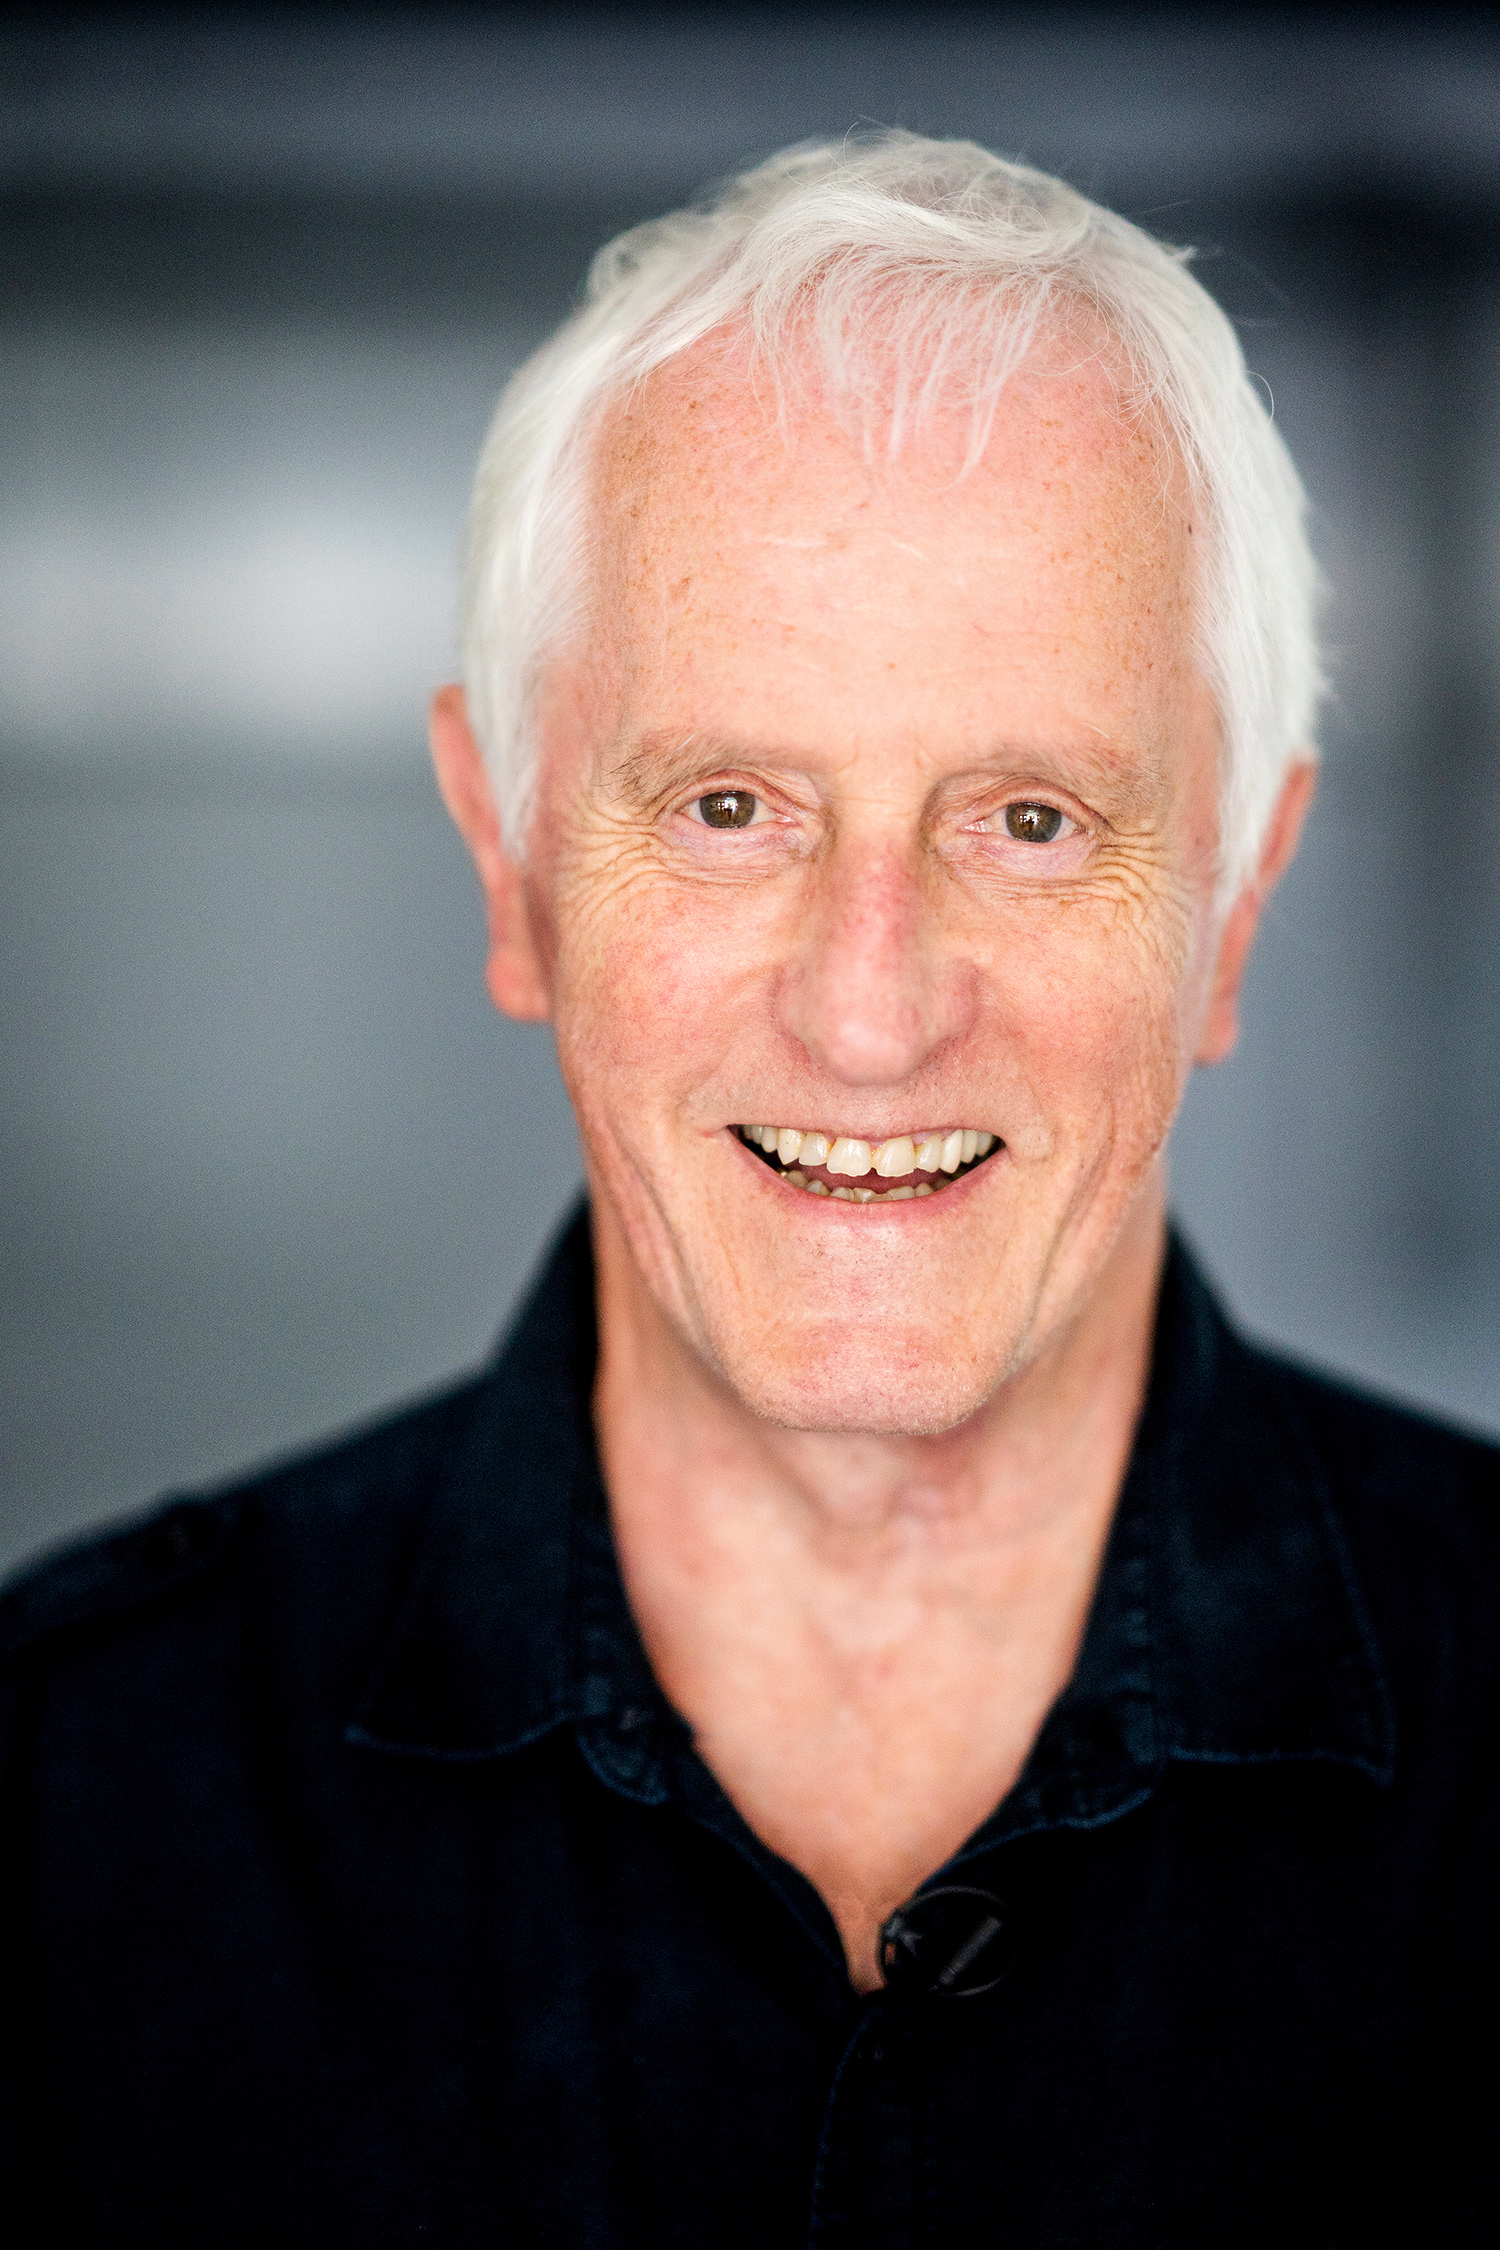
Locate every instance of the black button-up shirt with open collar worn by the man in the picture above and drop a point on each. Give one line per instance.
(363, 1889)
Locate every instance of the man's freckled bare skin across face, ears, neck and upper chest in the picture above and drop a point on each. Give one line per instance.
(862, 1461)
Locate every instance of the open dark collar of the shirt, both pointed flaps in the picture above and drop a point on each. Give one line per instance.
(1227, 1628)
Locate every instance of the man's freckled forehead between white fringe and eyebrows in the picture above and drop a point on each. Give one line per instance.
(784, 564)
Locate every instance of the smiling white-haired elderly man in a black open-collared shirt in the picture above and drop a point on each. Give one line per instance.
(880, 1720)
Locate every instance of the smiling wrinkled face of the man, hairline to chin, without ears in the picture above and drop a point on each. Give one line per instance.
(883, 811)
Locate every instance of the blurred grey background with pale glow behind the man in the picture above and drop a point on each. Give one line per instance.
(269, 1160)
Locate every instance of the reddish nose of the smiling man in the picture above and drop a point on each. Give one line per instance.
(871, 991)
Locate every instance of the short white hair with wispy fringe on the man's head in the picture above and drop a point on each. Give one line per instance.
(910, 264)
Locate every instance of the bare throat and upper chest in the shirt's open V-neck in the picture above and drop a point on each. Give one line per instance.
(865, 1702)
